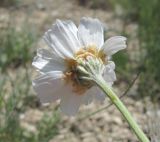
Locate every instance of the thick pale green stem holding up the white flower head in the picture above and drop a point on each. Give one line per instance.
(121, 107)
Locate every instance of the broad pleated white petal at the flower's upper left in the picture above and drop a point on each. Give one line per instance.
(62, 38)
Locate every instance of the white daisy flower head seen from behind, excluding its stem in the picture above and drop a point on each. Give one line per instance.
(63, 68)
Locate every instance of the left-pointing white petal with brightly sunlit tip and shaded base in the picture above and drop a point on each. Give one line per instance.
(47, 65)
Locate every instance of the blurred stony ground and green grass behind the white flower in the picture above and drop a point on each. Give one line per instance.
(22, 25)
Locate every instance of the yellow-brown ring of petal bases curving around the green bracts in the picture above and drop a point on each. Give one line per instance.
(72, 76)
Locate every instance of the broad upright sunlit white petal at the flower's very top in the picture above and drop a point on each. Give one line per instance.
(90, 32)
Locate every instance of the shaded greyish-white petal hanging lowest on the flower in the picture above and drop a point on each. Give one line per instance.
(70, 102)
